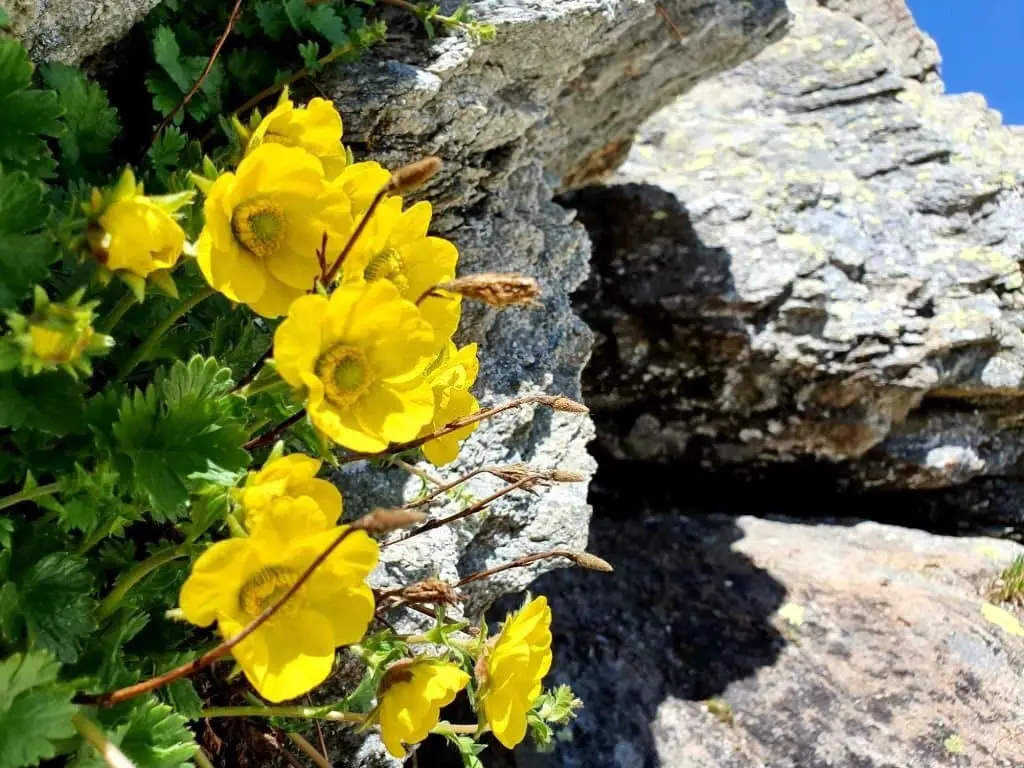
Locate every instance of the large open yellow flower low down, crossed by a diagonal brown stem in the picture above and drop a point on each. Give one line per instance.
(236, 580)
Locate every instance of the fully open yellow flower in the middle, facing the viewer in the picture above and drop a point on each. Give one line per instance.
(360, 357)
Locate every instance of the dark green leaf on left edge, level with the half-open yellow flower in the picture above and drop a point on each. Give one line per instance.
(26, 250)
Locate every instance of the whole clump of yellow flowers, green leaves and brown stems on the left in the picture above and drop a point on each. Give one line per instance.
(187, 343)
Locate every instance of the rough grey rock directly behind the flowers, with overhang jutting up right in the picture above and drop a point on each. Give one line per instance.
(546, 104)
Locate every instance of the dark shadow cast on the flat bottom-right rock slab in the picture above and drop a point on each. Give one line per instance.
(682, 618)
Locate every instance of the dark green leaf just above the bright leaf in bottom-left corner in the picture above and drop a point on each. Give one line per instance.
(57, 605)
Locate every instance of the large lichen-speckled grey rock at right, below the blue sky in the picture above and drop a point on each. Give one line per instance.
(817, 257)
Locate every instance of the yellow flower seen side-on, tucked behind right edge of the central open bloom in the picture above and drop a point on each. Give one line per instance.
(451, 378)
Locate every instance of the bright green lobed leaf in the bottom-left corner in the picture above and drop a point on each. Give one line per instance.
(35, 712)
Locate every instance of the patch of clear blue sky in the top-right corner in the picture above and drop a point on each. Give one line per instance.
(983, 46)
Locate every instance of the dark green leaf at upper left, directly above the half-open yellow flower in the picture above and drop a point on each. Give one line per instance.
(93, 123)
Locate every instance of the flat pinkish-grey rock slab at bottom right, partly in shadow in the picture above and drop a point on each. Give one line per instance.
(739, 643)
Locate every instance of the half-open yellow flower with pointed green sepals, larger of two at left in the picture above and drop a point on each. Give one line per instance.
(136, 234)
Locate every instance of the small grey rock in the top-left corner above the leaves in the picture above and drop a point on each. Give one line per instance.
(71, 30)
